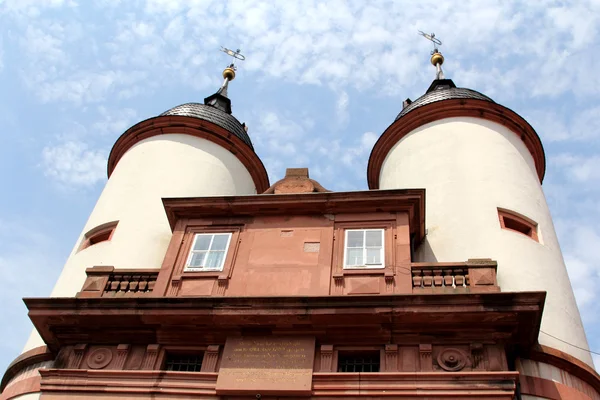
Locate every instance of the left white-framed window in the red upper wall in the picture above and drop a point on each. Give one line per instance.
(208, 252)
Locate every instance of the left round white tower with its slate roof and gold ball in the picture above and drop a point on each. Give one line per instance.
(192, 150)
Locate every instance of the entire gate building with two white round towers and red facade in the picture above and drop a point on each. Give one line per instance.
(194, 278)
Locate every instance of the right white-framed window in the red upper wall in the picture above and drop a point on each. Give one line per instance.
(363, 248)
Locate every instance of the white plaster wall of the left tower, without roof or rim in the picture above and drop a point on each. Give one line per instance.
(173, 165)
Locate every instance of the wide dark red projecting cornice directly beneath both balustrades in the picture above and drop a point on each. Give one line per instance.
(58, 320)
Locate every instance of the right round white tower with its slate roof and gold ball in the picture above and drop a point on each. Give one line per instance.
(482, 166)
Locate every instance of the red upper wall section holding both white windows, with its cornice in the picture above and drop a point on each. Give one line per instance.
(308, 244)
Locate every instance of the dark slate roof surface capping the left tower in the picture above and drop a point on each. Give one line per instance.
(214, 115)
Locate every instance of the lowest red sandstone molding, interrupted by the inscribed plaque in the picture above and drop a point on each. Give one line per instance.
(456, 385)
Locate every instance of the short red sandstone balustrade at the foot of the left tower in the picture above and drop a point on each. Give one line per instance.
(111, 282)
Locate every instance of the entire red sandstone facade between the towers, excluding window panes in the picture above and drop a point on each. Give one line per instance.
(282, 313)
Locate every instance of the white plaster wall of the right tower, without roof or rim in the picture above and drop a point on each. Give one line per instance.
(470, 167)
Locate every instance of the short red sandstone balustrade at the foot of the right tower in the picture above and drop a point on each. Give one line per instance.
(475, 275)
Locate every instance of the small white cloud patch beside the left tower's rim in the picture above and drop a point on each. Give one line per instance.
(73, 164)
